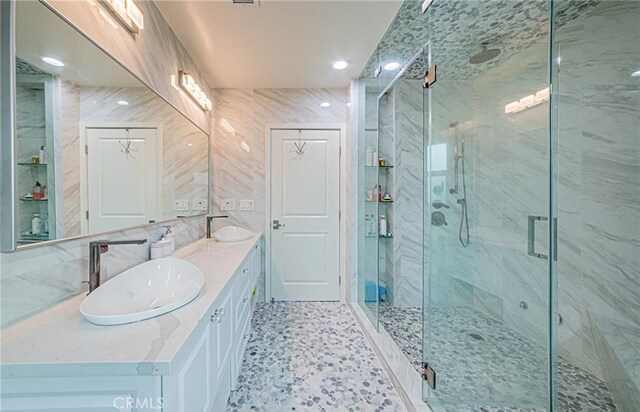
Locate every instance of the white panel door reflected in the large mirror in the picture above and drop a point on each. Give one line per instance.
(122, 177)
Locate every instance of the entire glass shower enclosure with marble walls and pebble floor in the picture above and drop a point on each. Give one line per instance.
(530, 273)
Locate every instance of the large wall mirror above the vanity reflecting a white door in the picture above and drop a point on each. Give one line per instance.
(96, 149)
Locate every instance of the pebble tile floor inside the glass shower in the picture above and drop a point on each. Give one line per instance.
(485, 366)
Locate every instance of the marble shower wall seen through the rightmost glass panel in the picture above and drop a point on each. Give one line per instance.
(598, 193)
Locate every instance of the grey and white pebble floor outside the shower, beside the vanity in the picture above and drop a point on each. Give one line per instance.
(310, 356)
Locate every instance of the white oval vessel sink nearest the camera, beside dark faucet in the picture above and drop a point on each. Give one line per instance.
(144, 291)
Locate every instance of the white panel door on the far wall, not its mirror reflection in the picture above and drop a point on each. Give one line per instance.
(305, 200)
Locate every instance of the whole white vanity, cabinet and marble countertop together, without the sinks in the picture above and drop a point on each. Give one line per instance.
(185, 360)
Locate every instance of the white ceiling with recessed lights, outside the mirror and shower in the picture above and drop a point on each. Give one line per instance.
(281, 43)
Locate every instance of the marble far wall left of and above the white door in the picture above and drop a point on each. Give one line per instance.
(239, 140)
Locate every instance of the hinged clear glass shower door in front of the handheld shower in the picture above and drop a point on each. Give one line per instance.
(487, 272)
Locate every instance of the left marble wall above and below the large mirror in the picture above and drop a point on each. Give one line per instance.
(38, 277)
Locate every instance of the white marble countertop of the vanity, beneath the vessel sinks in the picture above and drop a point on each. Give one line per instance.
(60, 342)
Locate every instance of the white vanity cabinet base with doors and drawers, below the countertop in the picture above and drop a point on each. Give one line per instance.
(201, 377)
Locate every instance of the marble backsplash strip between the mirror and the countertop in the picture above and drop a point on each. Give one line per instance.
(37, 277)
